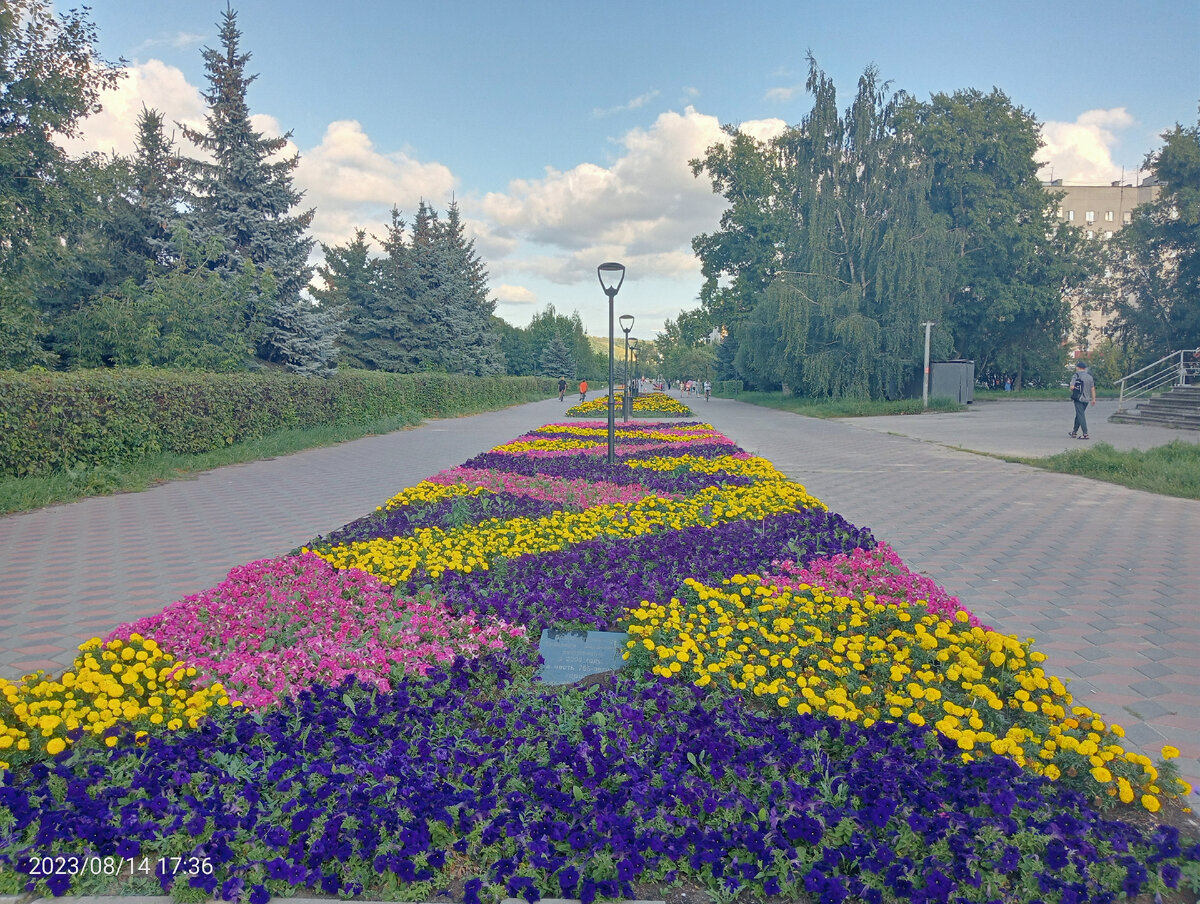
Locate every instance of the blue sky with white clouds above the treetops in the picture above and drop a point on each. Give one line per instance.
(565, 129)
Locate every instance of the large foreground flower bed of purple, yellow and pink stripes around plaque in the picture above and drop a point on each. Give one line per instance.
(801, 715)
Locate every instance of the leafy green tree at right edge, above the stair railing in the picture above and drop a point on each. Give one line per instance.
(1153, 288)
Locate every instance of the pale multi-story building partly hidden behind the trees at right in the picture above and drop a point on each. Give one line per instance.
(1100, 212)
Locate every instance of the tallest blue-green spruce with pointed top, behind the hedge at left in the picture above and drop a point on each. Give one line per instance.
(242, 196)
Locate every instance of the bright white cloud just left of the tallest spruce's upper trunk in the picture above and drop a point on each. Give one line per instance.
(153, 85)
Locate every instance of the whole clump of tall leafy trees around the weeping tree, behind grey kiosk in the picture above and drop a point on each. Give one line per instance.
(849, 231)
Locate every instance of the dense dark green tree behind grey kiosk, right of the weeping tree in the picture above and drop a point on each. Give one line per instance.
(1012, 261)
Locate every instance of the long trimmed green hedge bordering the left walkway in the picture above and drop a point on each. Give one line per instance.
(51, 423)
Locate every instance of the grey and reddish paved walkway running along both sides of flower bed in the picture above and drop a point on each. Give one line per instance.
(1105, 578)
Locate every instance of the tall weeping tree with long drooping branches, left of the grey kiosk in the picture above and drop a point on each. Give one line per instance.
(831, 234)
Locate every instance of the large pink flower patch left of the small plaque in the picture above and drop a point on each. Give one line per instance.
(277, 627)
